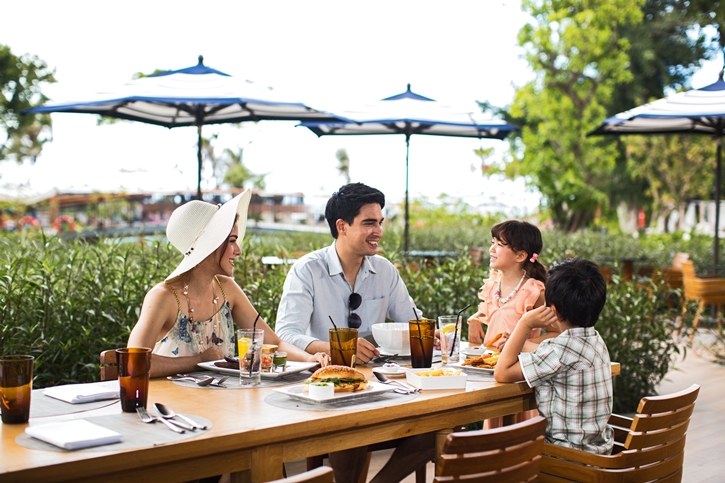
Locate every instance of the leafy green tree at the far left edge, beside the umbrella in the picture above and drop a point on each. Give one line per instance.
(21, 80)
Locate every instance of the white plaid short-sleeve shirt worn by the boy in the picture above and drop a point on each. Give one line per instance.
(571, 376)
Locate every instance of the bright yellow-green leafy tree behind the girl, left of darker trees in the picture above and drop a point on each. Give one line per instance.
(579, 57)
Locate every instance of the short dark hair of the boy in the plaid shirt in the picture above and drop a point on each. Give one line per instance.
(578, 290)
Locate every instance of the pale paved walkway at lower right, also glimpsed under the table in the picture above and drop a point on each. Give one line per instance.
(705, 450)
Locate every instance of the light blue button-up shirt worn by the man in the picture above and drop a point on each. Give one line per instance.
(316, 289)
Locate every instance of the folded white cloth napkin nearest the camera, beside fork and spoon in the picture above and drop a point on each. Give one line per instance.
(75, 434)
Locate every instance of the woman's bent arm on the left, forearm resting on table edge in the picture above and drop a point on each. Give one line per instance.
(158, 315)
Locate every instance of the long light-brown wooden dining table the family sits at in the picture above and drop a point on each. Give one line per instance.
(251, 438)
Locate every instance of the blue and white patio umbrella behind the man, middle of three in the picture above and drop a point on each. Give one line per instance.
(409, 113)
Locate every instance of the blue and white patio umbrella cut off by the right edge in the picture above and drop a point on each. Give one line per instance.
(697, 111)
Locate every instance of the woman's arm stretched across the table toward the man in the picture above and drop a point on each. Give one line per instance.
(244, 315)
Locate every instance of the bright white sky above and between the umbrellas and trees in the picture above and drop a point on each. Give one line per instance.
(323, 53)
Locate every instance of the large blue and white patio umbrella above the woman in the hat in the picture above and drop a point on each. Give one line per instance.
(193, 96)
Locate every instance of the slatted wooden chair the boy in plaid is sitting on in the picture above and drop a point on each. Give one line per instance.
(649, 447)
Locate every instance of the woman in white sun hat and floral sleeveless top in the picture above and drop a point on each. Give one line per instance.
(189, 318)
